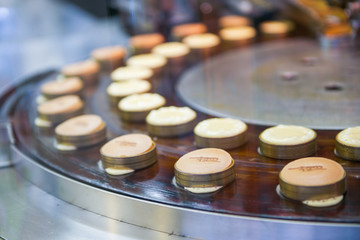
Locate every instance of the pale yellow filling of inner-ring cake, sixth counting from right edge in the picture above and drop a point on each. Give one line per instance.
(128, 87)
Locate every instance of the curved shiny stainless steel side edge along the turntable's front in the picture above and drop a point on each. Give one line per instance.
(184, 222)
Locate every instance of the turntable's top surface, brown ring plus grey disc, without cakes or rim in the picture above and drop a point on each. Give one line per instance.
(244, 84)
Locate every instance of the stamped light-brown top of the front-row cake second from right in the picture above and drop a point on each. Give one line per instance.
(204, 161)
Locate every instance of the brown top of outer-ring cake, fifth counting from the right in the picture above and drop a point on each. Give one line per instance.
(60, 105)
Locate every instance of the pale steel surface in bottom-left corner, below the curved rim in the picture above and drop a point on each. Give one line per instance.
(27, 212)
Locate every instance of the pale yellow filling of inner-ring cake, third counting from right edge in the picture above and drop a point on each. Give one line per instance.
(219, 128)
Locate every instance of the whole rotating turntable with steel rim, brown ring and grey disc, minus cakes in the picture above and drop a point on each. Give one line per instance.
(149, 198)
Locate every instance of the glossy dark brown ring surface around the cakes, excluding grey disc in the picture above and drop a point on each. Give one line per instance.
(252, 194)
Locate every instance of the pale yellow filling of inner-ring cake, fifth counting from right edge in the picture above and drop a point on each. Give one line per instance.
(141, 102)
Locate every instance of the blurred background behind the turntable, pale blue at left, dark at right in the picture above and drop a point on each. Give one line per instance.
(42, 34)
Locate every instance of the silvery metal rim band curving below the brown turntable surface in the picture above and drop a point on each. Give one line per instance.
(64, 188)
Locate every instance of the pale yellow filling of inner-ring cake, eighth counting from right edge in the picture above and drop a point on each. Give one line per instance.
(147, 60)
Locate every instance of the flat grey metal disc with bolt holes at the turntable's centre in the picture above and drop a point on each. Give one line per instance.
(248, 84)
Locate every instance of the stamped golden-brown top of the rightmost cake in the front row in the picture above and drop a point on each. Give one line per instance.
(312, 171)
